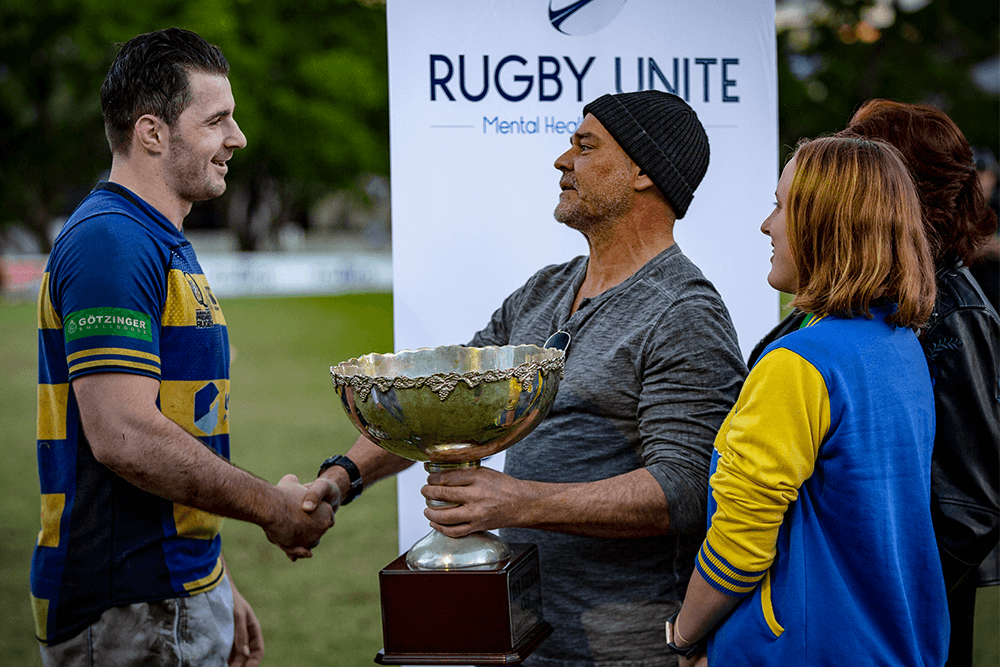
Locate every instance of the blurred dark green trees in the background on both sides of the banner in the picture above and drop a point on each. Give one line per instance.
(311, 85)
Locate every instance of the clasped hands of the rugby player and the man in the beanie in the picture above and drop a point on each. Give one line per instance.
(295, 530)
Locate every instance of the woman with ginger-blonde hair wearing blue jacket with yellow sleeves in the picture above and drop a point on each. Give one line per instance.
(820, 548)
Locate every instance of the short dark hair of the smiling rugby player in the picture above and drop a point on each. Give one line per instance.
(150, 76)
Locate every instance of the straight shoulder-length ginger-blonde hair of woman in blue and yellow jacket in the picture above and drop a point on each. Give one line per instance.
(854, 231)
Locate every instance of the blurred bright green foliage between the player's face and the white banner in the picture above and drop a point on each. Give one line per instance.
(311, 84)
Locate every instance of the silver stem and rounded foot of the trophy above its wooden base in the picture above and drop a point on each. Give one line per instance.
(477, 551)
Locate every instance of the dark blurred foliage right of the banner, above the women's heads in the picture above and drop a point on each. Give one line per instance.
(844, 56)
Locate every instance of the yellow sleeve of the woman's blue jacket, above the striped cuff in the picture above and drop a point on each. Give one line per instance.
(767, 452)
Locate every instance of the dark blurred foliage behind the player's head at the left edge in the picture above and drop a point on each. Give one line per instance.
(50, 127)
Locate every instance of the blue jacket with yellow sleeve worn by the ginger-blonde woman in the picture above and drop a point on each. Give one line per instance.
(820, 504)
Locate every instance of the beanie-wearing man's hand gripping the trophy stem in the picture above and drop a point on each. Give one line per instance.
(485, 500)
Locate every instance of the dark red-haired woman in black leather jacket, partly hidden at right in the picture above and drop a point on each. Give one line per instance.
(962, 345)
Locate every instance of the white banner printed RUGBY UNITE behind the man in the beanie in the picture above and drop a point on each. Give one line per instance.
(484, 96)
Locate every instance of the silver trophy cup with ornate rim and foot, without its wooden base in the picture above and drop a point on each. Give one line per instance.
(451, 407)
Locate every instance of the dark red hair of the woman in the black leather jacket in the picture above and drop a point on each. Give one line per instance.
(957, 220)
